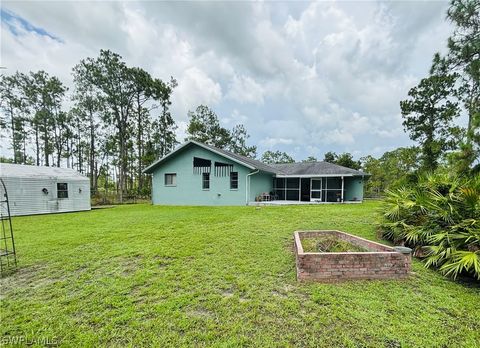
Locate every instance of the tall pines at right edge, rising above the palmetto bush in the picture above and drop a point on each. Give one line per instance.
(451, 89)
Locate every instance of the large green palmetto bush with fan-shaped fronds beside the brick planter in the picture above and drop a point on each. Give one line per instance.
(440, 219)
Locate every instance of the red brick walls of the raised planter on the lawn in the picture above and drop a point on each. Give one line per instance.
(379, 262)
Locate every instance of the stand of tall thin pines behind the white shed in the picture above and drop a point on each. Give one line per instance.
(117, 123)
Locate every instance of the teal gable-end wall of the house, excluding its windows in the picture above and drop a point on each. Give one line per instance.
(188, 189)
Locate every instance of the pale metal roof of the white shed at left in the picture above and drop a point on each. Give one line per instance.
(8, 170)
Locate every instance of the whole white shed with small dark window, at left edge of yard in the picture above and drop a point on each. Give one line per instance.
(42, 190)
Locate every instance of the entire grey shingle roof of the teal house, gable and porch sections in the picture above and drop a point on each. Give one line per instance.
(303, 168)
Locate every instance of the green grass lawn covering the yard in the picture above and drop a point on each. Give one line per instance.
(144, 275)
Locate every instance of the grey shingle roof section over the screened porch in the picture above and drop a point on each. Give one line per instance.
(315, 168)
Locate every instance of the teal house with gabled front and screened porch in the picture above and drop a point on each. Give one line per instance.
(200, 174)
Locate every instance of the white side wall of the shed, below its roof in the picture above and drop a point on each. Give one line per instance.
(26, 197)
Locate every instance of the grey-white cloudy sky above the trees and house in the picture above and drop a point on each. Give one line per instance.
(305, 78)
